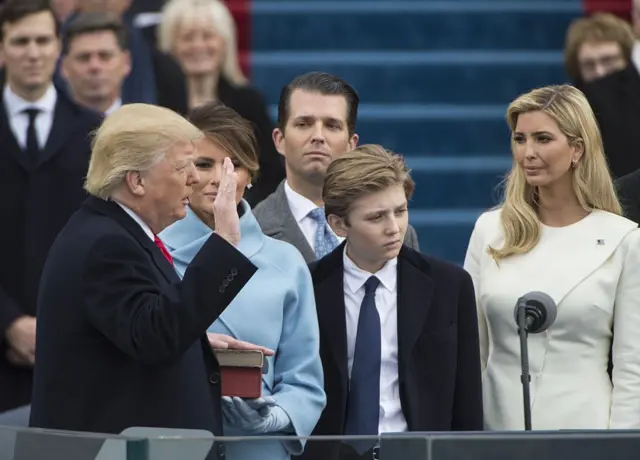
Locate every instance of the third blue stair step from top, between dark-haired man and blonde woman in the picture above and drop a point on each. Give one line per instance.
(440, 129)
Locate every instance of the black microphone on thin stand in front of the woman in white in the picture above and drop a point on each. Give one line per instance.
(534, 313)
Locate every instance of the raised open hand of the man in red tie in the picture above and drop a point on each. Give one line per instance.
(225, 208)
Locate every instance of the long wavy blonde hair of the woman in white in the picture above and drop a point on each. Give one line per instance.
(592, 183)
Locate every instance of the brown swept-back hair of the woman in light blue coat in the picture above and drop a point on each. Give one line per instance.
(230, 132)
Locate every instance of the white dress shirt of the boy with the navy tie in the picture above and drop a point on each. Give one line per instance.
(391, 417)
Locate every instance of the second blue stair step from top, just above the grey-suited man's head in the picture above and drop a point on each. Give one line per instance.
(463, 77)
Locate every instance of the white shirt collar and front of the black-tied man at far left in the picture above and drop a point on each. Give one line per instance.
(19, 121)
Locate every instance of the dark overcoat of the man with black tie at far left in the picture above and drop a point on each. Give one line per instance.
(37, 204)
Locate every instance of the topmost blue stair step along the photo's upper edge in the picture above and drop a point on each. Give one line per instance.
(315, 25)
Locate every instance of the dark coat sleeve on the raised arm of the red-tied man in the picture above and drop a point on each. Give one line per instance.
(153, 325)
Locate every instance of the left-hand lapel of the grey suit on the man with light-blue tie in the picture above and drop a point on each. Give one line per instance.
(284, 226)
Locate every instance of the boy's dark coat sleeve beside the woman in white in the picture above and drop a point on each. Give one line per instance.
(468, 410)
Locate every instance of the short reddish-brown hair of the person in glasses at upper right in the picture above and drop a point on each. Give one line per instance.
(599, 28)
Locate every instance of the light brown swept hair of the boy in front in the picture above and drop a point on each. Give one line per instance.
(365, 170)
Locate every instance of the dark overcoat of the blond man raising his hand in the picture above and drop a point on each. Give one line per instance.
(121, 341)
